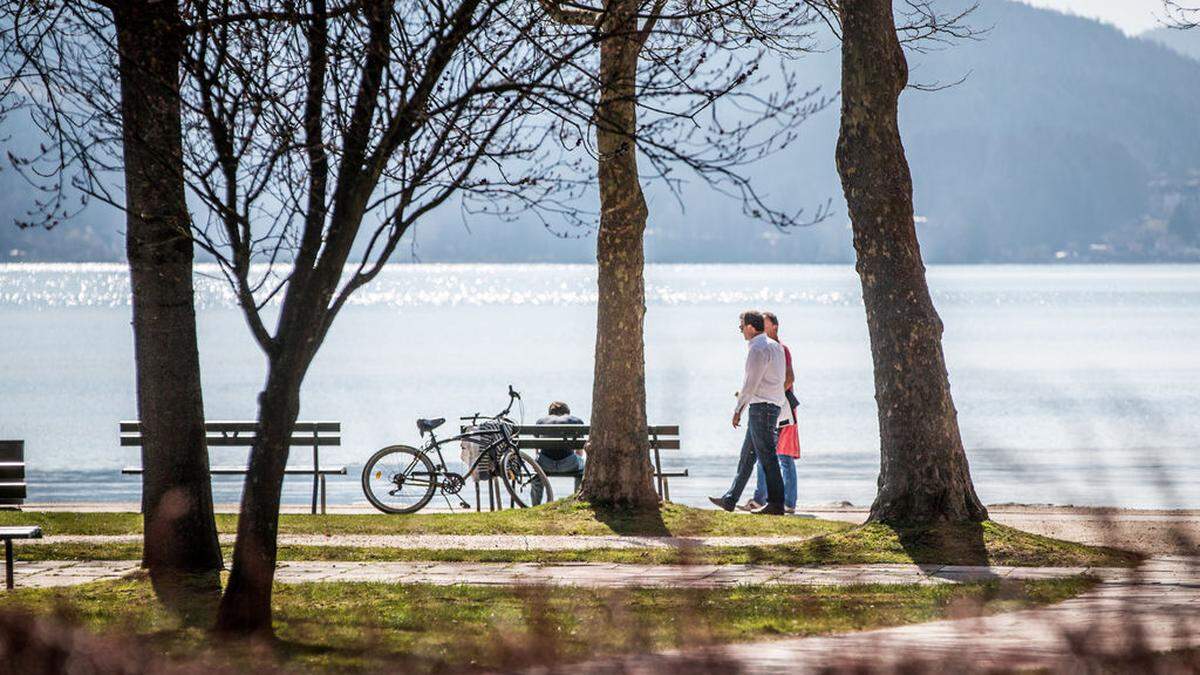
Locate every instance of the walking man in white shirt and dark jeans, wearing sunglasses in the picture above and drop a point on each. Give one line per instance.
(763, 395)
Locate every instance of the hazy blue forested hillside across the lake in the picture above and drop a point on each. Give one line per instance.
(1067, 140)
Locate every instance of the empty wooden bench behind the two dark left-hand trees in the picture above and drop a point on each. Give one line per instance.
(242, 435)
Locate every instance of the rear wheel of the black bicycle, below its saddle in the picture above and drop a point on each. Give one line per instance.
(399, 480)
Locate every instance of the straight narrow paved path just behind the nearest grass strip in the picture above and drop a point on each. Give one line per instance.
(64, 574)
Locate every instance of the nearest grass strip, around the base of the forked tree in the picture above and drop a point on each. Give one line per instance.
(421, 629)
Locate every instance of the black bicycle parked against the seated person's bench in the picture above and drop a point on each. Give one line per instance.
(405, 480)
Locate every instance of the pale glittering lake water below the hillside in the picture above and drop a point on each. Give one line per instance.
(1075, 385)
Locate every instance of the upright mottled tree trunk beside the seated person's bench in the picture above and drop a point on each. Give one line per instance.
(619, 471)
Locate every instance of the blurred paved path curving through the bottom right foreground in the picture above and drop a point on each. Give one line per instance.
(1156, 608)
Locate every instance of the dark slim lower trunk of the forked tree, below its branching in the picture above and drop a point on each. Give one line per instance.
(247, 605)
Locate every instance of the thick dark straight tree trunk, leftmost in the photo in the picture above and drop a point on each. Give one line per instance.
(181, 540)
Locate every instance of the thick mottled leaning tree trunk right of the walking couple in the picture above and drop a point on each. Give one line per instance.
(925, 475)
